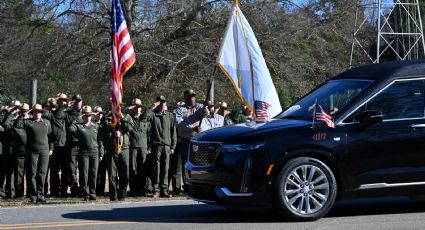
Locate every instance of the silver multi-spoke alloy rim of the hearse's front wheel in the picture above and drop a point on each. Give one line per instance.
(306, 189)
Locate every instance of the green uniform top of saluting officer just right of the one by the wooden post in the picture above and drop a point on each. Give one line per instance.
(58, 121)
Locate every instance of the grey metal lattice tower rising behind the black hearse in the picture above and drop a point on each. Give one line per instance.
(387, 30)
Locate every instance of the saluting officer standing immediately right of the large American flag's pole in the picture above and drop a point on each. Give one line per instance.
(139, 129)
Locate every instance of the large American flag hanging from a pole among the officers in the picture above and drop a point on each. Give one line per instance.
(123, 57)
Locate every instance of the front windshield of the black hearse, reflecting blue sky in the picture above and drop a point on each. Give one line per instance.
(332, 97)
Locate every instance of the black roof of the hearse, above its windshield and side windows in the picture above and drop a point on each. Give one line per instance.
(385, 71)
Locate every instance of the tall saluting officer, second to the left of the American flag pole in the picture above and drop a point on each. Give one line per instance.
(73, 116)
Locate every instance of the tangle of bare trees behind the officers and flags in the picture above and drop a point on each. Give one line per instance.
(66, 45)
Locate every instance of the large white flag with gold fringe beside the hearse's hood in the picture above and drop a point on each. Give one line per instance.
(242, 61)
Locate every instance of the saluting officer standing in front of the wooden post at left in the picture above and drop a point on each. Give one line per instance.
(40, 146)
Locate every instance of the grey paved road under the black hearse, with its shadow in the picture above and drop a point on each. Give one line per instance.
(389, 213)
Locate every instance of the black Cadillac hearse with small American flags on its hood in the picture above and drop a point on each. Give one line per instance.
(300, 167)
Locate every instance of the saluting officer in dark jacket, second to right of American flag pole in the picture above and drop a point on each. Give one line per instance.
(163, 143)
